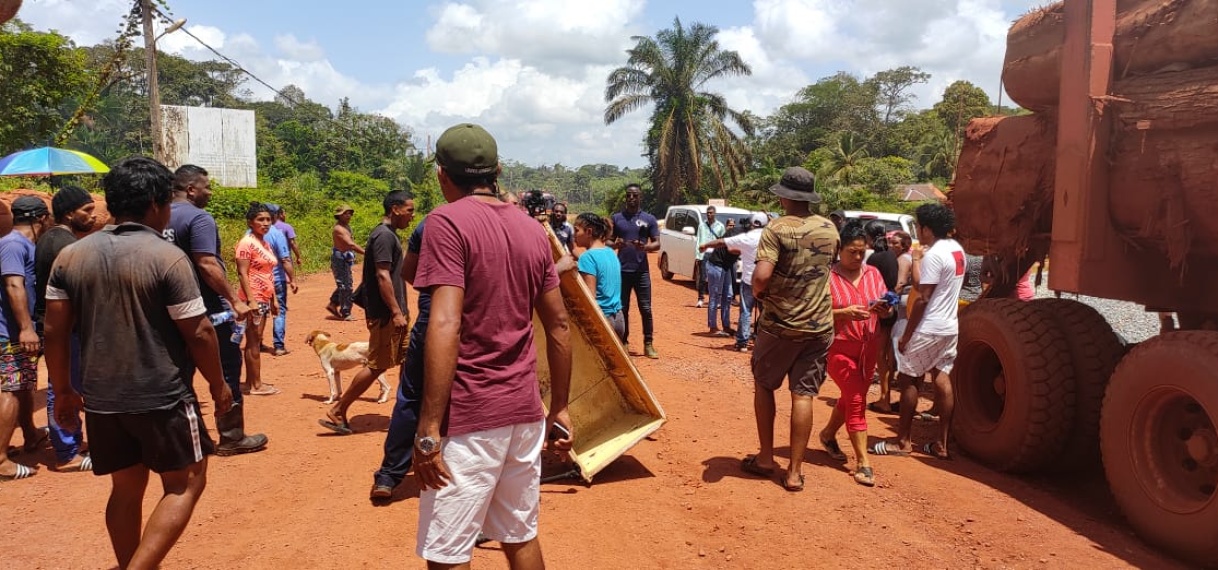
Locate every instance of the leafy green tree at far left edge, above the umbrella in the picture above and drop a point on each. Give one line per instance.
(40, 74)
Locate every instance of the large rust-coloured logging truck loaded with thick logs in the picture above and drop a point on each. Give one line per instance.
(1114, 180)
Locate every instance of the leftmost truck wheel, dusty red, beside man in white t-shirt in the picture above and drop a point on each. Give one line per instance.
(1014, 385)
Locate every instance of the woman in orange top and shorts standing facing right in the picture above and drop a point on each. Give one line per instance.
(255, 267)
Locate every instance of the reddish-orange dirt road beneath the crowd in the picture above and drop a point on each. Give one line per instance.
(675, 501)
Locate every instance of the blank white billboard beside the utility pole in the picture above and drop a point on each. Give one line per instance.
(222, 141)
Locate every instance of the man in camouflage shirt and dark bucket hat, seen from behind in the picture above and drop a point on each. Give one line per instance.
(796, 328)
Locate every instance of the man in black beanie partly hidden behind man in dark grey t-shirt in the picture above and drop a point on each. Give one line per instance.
(74, 213)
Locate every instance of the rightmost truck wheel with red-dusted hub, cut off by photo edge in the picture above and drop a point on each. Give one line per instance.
(1160, 445)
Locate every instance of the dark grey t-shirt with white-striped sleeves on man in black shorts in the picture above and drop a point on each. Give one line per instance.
(127, 287)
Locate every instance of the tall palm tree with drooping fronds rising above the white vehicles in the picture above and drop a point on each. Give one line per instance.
(689, 131)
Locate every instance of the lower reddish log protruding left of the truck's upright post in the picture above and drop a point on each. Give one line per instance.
(1004, 189)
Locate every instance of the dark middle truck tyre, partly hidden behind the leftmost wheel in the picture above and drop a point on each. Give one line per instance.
(1094, 351)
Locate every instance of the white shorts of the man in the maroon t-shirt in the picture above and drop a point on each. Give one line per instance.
(495, 490)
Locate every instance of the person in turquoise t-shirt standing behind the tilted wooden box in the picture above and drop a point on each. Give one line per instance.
(600, 269)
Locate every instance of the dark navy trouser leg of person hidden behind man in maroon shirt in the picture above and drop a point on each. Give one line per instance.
(405, 422)
